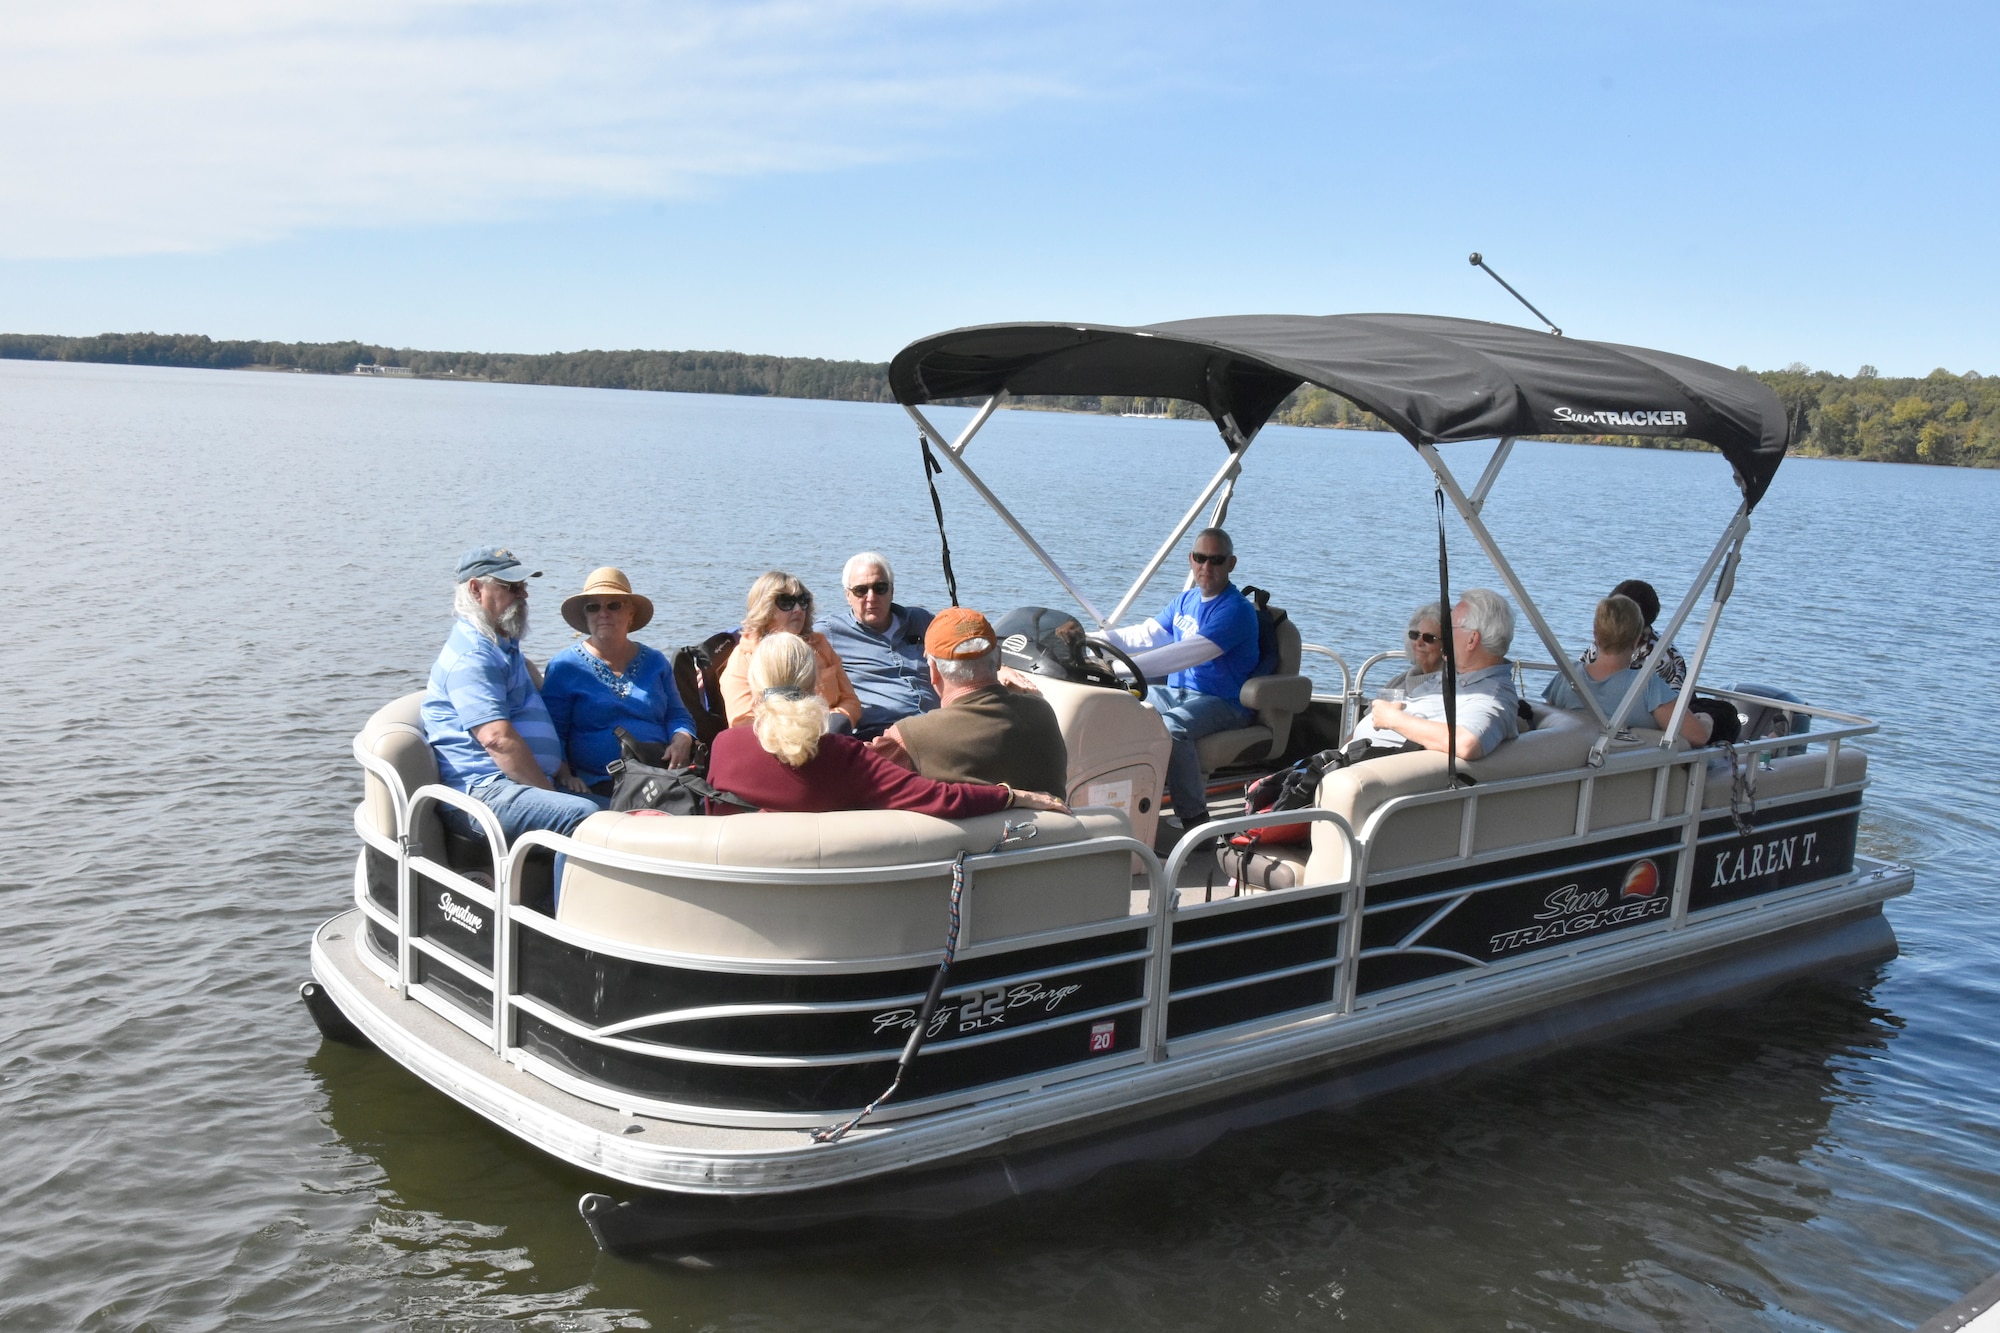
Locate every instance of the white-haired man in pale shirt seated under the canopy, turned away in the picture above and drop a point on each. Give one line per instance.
(1483, 631)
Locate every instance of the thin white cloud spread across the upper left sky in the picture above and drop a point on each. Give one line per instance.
(143, 127)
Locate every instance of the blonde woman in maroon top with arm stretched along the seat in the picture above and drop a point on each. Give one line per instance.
(785, 760)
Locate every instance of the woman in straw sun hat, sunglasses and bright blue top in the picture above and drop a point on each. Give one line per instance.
(607, 680)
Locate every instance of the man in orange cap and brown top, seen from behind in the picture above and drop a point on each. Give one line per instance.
(981, 732)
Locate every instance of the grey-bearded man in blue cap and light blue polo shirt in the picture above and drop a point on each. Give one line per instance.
(483, 716)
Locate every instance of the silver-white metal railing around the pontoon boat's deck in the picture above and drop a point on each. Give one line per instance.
(1315, 936)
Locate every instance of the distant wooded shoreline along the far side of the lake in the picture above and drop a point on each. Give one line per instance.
(1943, 417)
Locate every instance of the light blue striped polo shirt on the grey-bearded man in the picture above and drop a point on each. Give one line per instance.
(481, 682)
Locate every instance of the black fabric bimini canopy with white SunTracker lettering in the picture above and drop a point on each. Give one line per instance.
(1431, 379)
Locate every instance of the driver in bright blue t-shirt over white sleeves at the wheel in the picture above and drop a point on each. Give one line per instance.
(1205, 647)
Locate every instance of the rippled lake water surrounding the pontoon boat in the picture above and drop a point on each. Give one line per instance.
(211, 579)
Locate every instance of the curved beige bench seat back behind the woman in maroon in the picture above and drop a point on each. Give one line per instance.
(713, 916)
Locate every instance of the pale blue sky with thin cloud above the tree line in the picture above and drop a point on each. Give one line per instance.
(1749, 183)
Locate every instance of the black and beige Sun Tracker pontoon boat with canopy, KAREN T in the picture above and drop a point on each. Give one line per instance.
(711, 1002)
